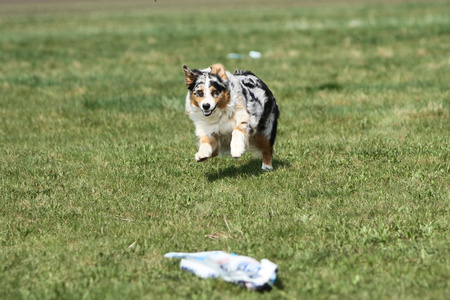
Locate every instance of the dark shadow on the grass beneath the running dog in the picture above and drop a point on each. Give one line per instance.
(251, 168)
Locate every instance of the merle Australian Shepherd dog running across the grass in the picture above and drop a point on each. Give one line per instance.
(231, 112)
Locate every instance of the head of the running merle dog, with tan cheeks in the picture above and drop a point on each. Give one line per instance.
(208, 88)
